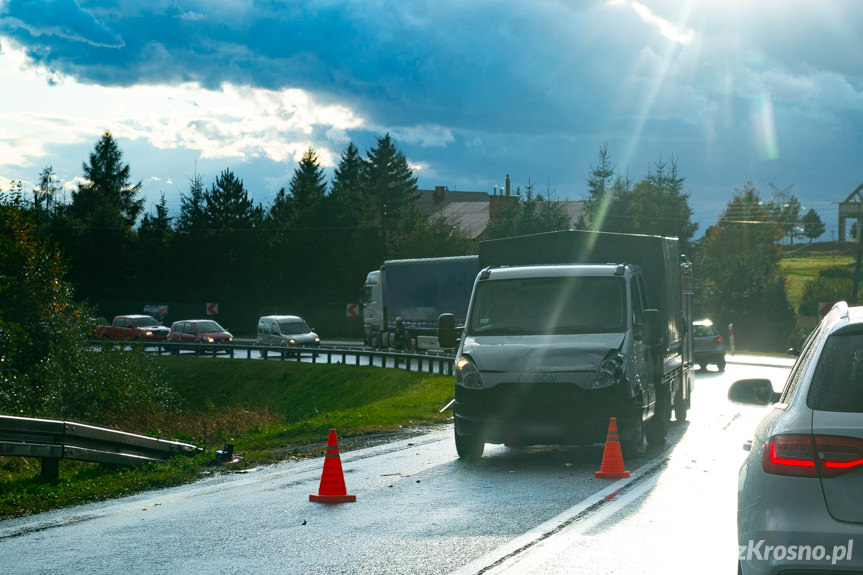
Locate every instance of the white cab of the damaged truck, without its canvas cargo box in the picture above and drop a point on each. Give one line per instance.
(550, 353)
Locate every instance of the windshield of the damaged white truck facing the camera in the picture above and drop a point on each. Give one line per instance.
(549, 305)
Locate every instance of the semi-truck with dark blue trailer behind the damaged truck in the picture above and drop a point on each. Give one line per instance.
(410, 295)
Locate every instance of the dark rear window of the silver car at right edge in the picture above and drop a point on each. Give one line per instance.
(837, 384)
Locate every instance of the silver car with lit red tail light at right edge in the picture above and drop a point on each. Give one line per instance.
(799, 504)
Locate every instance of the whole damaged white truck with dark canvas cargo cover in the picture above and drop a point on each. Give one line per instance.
(568, 329)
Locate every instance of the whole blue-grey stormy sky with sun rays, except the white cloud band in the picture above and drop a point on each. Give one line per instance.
(765, 91)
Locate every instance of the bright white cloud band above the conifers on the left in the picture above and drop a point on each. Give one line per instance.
(231, 122)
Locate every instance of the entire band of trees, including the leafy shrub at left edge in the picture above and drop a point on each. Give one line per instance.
(308, 251)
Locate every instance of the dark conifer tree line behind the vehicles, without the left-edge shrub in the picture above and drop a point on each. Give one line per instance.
(307, 251)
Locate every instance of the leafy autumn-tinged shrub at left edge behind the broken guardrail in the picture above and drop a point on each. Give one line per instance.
(47, 367)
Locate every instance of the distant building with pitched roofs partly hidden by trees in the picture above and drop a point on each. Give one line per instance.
(471, 211)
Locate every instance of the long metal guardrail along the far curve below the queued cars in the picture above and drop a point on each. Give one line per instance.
(439, 363)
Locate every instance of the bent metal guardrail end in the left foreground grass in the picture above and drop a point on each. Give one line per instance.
(51, 441)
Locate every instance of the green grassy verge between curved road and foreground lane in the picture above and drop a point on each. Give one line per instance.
(269, 410)
